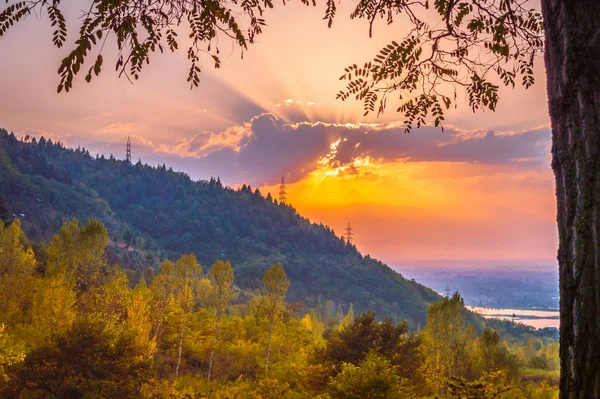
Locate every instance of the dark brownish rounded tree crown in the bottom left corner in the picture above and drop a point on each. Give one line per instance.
(88, 360)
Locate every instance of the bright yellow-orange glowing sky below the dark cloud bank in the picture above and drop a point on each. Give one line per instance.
(434, 210)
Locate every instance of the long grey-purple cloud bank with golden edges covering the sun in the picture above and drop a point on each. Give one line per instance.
(270, 148)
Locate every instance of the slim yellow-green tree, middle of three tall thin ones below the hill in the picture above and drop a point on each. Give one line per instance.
(221, 274)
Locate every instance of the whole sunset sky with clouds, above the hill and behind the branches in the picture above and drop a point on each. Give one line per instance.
(480, 190)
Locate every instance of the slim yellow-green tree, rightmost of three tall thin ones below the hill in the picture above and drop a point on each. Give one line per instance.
(275, 286)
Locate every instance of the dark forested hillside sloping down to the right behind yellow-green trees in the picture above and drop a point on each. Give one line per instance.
(154, 213)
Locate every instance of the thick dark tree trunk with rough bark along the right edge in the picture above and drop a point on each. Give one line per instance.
(572, 58)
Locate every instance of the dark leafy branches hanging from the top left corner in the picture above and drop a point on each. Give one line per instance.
(143, 27)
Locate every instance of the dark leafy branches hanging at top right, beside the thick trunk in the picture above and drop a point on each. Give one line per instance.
(473, 44)
